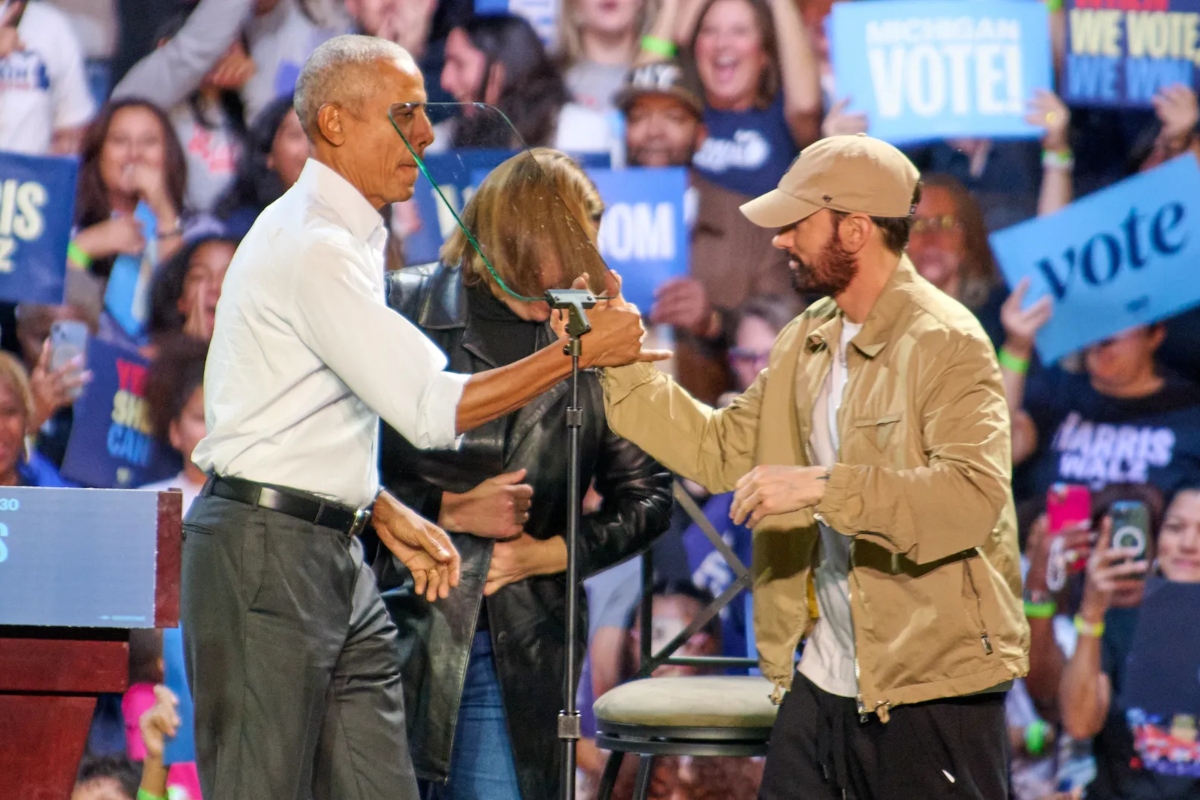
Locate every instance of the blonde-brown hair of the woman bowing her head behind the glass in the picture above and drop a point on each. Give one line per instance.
(536, 210)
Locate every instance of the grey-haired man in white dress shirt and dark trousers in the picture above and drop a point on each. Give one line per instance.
(291, 654)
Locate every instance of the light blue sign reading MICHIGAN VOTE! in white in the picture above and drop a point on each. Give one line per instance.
(941, 69)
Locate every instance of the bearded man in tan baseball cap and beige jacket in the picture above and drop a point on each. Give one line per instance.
(872, 459)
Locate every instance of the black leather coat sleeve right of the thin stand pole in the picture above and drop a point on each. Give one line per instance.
(637, 508)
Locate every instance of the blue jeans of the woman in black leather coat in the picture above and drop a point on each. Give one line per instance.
(482, 762)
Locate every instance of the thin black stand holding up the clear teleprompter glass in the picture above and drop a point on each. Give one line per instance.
(574, 302)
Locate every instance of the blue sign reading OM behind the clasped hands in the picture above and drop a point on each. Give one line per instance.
(644, 234)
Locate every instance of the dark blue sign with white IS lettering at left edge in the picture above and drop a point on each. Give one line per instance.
(37, 214)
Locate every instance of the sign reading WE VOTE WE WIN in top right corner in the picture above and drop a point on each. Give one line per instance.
(1124, 52)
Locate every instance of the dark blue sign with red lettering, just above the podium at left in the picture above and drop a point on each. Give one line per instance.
(111, 444)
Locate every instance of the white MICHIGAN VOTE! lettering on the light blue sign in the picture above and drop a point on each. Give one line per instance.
(932, 68)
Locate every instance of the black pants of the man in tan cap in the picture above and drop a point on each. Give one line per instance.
(820, 750)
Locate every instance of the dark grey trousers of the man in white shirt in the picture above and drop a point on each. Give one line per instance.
(292, 660)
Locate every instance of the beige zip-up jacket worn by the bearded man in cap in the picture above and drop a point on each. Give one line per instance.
(922, 488)
